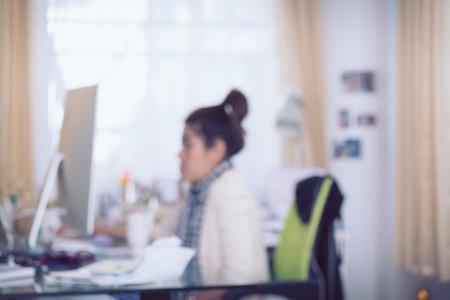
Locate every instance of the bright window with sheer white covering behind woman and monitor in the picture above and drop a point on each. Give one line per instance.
(156, 61)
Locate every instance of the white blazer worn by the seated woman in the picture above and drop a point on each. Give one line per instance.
(231, 245)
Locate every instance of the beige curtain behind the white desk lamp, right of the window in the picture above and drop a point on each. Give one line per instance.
(300, 53)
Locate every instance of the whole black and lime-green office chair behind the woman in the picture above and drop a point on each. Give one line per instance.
(305, 264)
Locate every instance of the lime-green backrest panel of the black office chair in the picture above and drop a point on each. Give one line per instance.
(292, 260)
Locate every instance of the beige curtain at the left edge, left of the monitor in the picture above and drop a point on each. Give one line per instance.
(16, 148)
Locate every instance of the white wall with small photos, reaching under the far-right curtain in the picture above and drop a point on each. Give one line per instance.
(362, 35)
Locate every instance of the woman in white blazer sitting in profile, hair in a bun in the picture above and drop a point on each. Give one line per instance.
(220, 217)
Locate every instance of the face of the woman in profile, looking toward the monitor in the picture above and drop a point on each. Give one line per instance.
(197, 161)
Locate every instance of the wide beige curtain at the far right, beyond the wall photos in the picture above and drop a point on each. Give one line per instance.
(423, 196)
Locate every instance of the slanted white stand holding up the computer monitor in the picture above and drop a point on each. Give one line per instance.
(44, 199)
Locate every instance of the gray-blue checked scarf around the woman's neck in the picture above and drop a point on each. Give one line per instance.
(189, 227)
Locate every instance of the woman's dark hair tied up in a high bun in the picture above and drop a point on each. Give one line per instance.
(222, 121)
